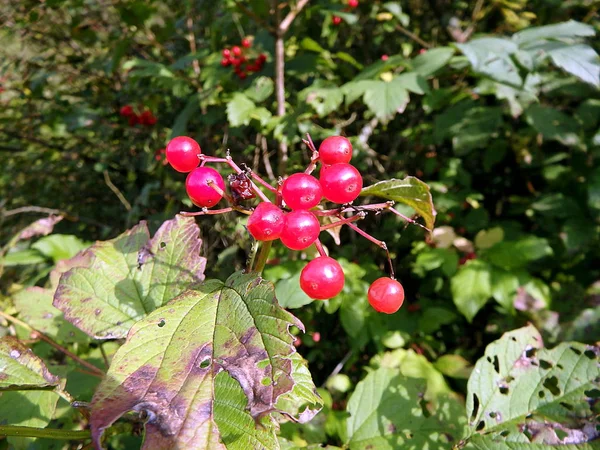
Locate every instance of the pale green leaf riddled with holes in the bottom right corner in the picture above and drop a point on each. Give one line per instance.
(521, 392)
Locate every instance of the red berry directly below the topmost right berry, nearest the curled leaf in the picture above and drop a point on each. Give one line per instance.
(341, 183)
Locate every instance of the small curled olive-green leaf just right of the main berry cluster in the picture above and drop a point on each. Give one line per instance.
(411, 191)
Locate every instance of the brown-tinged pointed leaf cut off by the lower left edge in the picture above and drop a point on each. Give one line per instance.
(21, 369)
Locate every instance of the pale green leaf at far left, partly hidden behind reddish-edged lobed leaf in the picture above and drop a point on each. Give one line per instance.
(34, 306)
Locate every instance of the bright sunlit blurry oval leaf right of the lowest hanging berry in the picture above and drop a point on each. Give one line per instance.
(471, 288)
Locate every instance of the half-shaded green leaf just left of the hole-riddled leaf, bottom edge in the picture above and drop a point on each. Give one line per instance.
(386, 413)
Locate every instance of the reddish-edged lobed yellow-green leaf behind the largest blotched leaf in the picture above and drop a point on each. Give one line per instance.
(130, 276)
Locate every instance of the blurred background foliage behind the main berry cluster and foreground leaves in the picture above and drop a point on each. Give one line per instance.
(494, 104)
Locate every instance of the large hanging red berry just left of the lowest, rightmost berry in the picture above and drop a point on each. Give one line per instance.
(322, 278)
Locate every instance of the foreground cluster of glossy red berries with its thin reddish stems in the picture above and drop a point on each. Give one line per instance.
(292, 218)
